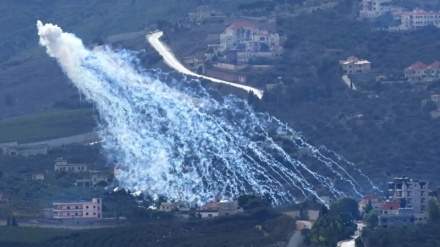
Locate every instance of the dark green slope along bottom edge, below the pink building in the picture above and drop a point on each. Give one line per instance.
(227, 231)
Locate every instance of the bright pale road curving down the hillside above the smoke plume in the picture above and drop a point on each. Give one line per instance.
(171, 60)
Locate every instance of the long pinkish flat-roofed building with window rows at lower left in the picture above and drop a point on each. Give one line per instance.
(82, 210)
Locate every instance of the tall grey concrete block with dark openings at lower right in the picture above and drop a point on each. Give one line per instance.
(410, 193)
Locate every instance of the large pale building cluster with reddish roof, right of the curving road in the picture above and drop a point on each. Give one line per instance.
(243, 41)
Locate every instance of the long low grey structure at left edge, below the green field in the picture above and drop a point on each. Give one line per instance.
(14, 149)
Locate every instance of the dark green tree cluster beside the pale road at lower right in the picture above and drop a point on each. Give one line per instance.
(335, 224)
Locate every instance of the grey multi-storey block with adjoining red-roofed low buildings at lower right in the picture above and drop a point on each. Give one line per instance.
(406, 204)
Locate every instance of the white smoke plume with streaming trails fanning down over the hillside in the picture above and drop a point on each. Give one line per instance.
(173, 139)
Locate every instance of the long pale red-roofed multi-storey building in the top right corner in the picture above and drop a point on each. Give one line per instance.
(418, 18)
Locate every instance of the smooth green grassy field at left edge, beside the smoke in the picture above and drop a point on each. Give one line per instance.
(46, 125)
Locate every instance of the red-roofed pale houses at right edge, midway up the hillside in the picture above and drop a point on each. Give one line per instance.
(419, 72)
